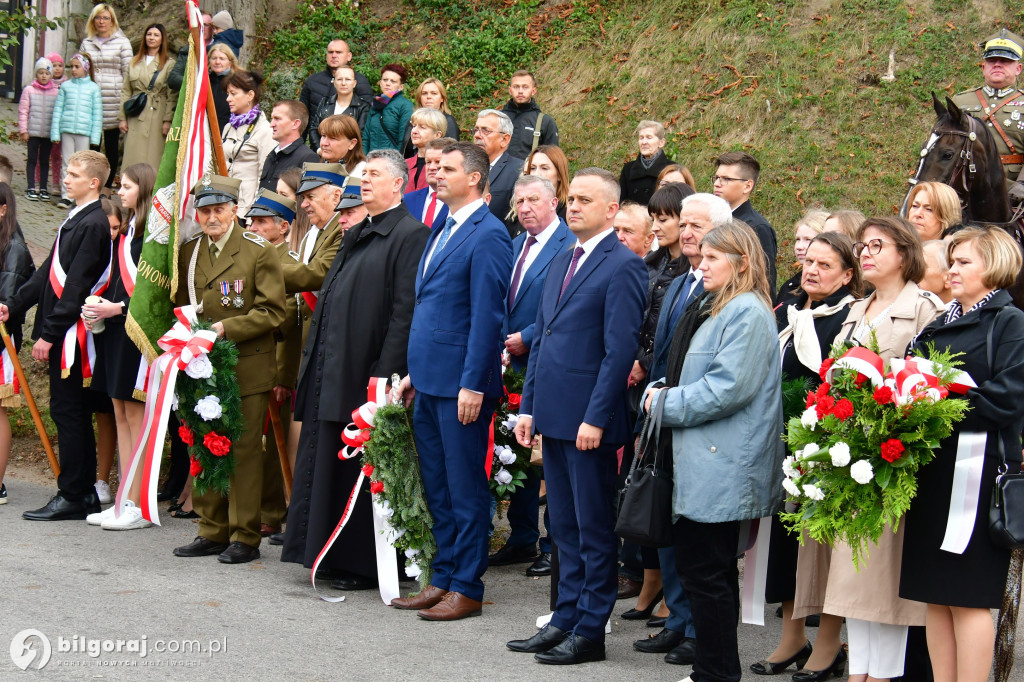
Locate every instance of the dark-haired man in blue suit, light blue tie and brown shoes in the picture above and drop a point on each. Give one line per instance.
(455, 367)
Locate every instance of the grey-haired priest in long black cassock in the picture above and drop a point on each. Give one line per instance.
(360, 330)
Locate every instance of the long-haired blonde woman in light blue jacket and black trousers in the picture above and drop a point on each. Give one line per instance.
(723, 404)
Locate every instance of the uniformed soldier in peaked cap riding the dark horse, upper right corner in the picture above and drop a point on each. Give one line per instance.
(1000, 103)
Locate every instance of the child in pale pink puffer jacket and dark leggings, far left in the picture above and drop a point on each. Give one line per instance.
(35, 114)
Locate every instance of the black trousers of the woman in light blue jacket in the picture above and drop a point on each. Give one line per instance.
(706, 562)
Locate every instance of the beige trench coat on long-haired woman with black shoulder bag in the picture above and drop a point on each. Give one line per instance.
(145, 142)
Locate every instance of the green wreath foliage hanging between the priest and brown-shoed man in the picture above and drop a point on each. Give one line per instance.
(392, 453)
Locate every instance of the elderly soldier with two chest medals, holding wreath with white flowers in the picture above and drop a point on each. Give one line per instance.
(234, 279)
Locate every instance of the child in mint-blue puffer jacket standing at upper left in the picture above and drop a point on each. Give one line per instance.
(78, 115)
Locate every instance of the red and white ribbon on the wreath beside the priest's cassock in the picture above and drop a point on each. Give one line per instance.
(356, 436)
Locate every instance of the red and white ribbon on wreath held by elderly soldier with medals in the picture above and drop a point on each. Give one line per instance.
(182, 347)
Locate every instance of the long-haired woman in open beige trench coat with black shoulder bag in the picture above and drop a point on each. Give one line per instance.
(147, 134)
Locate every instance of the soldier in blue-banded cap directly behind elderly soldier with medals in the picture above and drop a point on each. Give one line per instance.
(272, 217)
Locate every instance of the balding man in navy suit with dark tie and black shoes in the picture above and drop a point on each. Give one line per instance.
(586, 338)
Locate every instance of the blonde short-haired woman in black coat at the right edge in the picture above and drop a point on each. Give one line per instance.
(962, 584)
